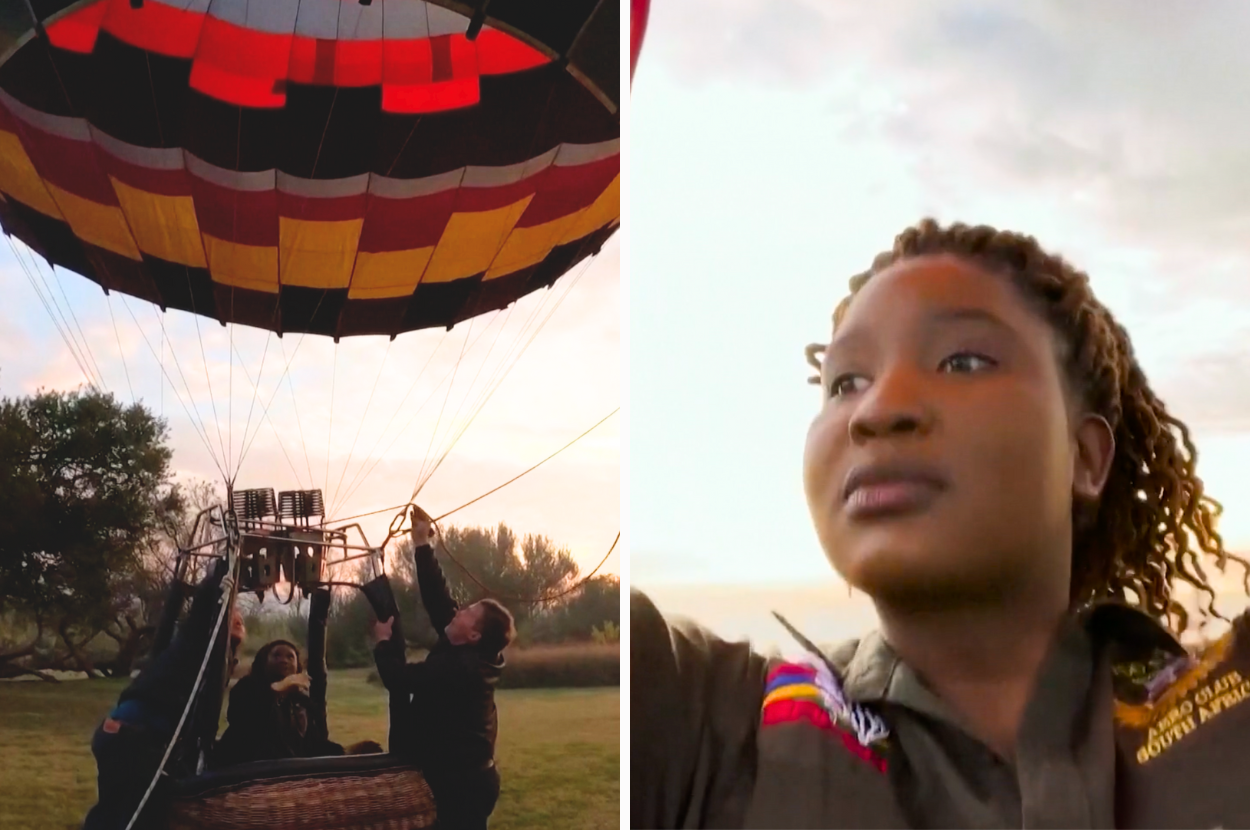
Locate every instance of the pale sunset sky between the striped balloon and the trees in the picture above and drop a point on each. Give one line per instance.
(367, 419)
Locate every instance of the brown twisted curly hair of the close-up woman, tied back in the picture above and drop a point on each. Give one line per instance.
(1153, 524)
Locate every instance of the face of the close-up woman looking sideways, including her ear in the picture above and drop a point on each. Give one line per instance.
(943, 463)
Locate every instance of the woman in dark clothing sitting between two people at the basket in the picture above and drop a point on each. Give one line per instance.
(271, 712)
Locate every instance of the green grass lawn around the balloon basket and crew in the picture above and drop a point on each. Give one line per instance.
(559, 751)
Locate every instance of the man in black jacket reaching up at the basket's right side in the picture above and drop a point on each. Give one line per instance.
(448, 702)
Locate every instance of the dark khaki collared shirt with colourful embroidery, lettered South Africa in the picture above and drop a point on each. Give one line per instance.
(1124, 731)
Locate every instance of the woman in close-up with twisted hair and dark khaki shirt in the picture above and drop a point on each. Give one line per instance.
(993, 469)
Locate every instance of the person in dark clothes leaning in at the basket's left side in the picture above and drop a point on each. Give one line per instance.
(132, 741)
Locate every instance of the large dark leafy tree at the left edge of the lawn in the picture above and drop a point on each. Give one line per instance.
(84, 482)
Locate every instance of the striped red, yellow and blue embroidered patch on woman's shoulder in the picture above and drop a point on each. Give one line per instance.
(808, 691)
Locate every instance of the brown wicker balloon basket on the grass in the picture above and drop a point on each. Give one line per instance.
(352, 793)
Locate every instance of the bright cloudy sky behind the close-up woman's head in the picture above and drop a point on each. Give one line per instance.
(778, 146)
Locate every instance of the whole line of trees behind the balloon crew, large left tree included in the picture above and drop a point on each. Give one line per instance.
(93, 521)
